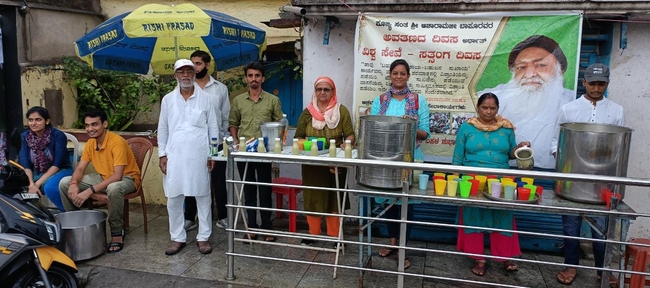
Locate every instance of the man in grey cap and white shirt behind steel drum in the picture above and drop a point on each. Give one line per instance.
(592, 107)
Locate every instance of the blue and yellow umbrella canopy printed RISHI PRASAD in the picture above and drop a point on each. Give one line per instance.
(157, 35)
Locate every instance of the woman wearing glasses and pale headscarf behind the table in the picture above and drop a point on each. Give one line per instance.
(324, 118)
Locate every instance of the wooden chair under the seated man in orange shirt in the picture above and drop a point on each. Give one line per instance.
(142, 150)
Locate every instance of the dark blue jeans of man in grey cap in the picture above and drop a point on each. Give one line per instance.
(571, 225)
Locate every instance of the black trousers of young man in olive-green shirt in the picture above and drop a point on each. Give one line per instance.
(257, 172)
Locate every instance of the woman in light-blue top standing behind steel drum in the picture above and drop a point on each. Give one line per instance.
(400, 101)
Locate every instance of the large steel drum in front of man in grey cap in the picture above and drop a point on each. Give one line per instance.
(596, 149)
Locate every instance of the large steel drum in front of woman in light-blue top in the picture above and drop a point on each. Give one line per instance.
(385, 138)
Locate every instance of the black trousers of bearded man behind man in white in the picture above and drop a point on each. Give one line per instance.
(219, 193)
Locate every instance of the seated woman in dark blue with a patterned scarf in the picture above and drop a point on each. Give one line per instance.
(44, 154)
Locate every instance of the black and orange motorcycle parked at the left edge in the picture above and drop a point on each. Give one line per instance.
(29, 235)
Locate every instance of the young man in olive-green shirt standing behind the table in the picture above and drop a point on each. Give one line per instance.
(247, 112)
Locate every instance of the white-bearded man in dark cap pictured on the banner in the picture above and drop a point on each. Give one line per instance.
(535, 93)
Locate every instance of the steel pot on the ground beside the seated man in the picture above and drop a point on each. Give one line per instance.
(83, 233)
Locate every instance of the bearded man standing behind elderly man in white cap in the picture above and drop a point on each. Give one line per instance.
(219, 93)
